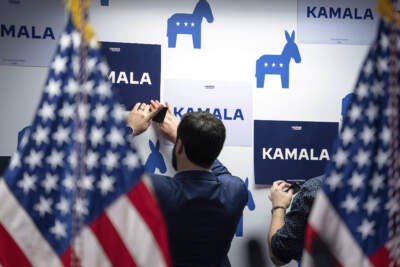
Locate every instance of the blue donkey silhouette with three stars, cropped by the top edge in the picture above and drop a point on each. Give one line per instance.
(181, 23)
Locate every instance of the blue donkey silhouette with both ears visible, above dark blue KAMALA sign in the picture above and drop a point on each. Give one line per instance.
(278, 64)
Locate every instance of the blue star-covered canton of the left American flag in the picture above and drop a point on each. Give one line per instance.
(42, 172)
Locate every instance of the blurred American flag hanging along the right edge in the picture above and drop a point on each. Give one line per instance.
(351, 223)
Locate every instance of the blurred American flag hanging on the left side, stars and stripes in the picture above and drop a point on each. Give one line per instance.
(75, 192)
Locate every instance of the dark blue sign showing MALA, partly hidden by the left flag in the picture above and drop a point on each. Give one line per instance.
(135, 71)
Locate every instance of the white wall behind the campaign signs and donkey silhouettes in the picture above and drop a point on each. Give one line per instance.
(242, 32)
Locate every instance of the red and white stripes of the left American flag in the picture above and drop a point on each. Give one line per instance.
(131, 232)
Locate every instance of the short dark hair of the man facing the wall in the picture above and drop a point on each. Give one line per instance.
(203, 136)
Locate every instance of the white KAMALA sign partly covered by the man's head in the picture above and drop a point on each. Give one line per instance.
(230, 101)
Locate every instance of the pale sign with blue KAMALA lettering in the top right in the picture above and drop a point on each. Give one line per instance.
(336, 21)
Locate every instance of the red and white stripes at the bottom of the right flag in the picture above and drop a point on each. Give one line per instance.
(325, 224)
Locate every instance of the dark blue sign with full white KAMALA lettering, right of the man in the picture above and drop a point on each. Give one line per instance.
(291, 150)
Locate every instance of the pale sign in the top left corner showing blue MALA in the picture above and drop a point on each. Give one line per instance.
(29, 31)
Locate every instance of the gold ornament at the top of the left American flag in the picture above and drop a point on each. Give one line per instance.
(75, 6)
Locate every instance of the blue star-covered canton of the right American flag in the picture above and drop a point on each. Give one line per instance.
(357, 178)
